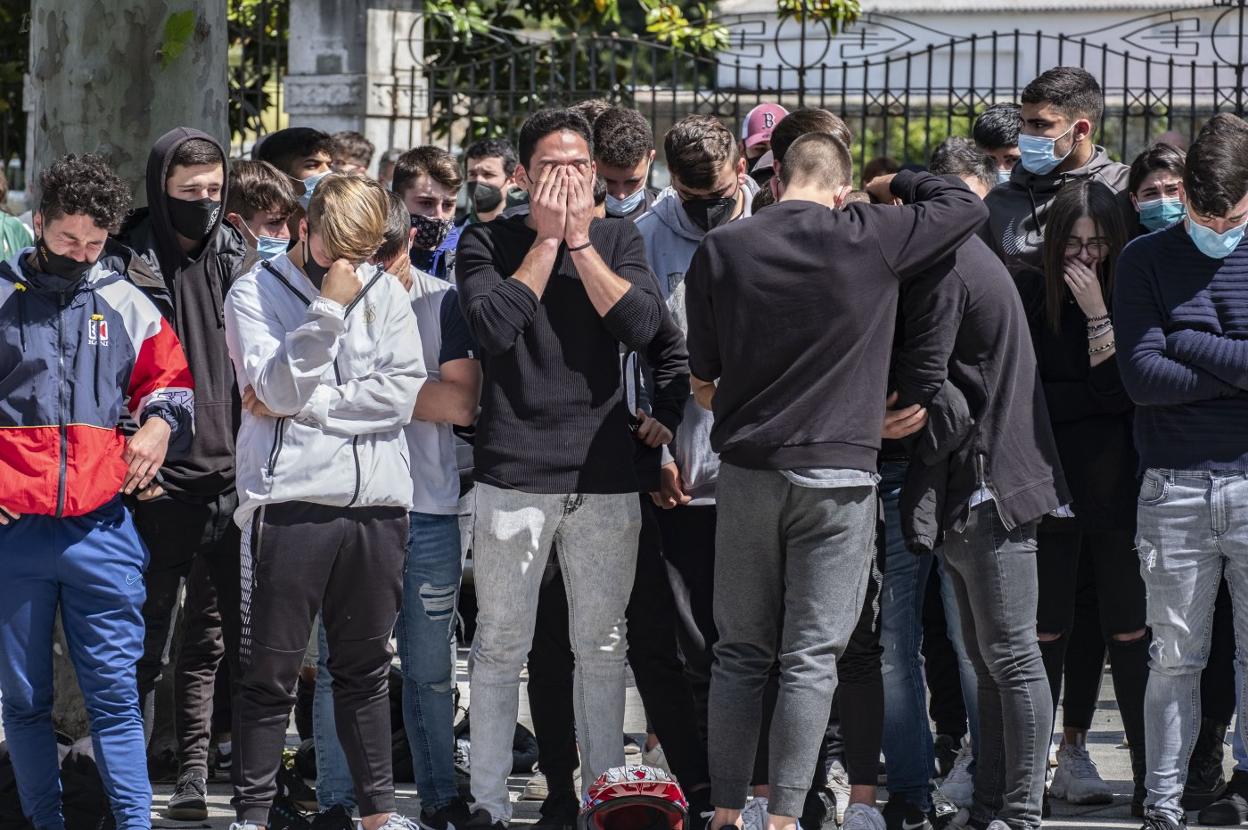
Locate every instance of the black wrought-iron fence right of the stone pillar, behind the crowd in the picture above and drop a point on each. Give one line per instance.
(899, 104)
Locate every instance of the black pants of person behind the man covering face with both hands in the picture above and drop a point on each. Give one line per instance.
(652, 655)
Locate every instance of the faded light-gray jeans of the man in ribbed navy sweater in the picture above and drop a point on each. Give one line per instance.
(1191, 529)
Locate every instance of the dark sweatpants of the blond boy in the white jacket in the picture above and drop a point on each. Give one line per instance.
(346, 564)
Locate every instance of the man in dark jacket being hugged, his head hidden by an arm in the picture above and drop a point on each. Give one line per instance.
(984, 471)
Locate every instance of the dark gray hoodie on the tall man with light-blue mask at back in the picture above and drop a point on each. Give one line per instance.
(1019, 209)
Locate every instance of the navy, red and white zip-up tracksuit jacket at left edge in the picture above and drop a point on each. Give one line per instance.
(71, 365)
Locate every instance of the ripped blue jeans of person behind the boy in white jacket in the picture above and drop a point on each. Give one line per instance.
(426, 648)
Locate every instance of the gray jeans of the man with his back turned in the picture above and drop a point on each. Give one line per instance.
(792, 566)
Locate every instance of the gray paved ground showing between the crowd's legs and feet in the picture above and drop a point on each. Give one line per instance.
(1106, 743)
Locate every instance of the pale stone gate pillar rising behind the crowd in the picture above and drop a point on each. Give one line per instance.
(351, 67)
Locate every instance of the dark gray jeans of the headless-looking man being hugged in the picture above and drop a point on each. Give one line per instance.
(994, 575)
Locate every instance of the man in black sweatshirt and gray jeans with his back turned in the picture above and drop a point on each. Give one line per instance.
(798, 427)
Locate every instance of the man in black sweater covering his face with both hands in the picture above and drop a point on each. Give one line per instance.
(551, 296)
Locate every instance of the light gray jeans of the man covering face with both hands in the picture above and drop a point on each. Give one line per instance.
(596, 537)
